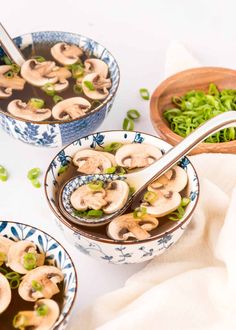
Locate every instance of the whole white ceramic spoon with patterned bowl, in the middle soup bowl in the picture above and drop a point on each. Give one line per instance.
(149, 174)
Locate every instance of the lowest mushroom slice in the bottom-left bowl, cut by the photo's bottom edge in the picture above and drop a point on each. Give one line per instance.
(34, 320)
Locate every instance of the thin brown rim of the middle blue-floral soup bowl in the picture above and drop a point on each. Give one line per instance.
(70, 225)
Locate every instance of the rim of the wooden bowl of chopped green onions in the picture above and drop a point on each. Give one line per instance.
(156, 117)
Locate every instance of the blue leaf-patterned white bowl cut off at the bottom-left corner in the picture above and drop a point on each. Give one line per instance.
(56, 255)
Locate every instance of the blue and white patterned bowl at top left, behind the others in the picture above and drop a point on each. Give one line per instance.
(58, 133)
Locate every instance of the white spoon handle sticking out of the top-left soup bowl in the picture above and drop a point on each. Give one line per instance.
(10, 48)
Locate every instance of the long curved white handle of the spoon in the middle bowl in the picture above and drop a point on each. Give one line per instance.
(151, 173)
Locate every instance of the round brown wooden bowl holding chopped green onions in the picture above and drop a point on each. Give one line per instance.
(178, 85)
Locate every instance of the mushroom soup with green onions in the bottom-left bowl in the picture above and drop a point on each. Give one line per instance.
(31, 292)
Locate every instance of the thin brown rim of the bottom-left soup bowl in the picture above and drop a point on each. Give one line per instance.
(64, 316)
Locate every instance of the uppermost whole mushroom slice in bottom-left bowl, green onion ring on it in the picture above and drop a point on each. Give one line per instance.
(17, 253)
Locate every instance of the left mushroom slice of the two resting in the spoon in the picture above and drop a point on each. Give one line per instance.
(84, 198)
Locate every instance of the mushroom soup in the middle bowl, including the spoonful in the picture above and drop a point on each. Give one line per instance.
(163, 202)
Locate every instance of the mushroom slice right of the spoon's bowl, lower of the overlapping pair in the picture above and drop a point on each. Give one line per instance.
(166, 202)
